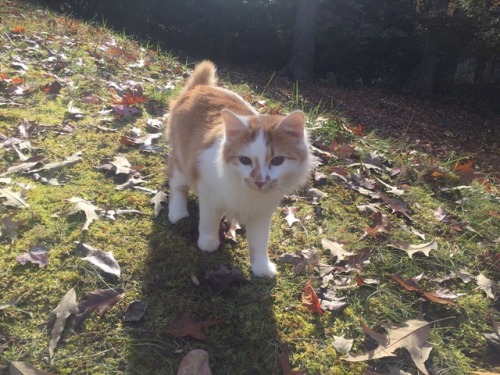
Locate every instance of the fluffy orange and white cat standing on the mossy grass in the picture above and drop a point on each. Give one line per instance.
(239, 162)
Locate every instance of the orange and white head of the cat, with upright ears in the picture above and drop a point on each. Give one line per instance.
(266, 152)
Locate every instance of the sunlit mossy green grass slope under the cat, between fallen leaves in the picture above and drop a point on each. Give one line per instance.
(157, 259)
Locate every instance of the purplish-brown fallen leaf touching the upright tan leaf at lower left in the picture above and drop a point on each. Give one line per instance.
(102, 300)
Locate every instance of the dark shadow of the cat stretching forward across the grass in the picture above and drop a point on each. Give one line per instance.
(246, 342)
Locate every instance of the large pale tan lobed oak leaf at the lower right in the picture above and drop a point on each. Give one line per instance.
(413, 337)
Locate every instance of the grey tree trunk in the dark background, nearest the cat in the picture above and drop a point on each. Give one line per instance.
(302, 59)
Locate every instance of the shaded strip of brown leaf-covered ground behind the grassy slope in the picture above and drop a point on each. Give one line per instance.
(437, 126)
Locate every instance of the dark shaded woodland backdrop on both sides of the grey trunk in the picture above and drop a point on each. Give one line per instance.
(374, 42)
